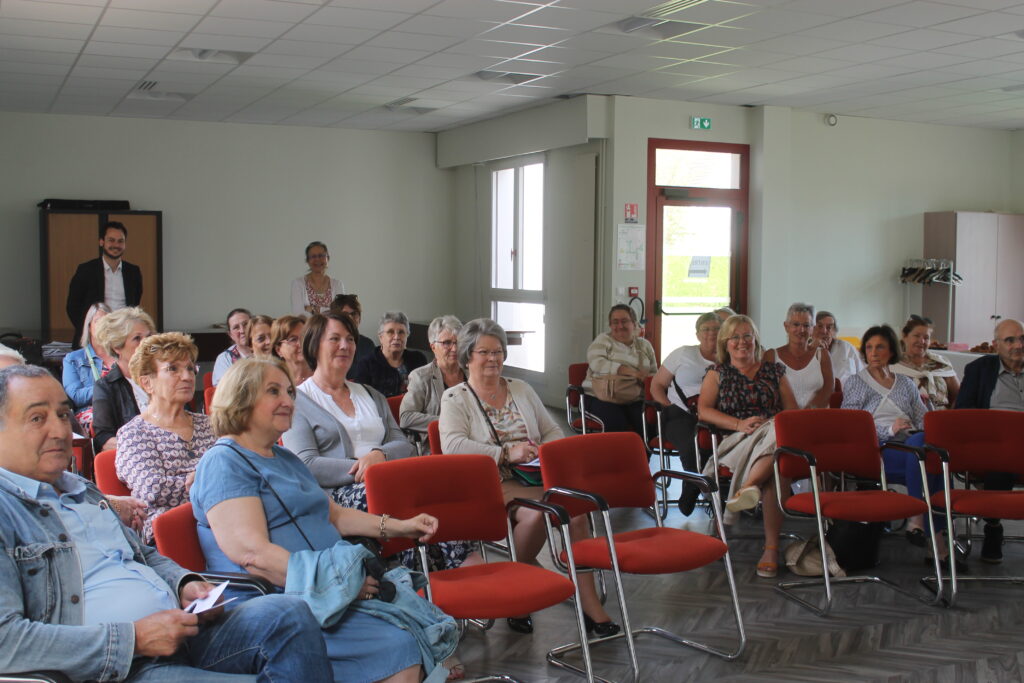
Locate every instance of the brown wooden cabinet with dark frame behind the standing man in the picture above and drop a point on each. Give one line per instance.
(70, 238)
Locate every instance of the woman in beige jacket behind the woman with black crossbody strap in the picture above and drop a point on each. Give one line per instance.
(422, 403)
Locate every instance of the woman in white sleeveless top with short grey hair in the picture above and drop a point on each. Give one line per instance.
(808, 367)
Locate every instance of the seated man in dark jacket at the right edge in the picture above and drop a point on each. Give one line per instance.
(997, 382)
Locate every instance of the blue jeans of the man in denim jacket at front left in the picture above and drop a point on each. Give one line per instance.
(273, 638)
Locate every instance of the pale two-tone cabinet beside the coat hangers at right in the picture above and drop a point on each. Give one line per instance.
(987, 250)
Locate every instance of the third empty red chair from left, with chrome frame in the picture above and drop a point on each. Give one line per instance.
(814, 443)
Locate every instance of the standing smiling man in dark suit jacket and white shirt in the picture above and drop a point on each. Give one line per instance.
(108, 279)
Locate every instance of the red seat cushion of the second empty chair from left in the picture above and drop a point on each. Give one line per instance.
(651, 551)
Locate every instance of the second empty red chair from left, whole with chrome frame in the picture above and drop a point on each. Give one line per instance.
(605, 472)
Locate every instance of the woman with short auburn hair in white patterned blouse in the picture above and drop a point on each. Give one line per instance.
(158, 450)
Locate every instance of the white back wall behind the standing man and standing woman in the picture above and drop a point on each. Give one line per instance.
(240, 204)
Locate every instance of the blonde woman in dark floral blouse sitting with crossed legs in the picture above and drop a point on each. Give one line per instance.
(741, 395)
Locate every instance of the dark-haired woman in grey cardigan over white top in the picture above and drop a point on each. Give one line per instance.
(340, 429)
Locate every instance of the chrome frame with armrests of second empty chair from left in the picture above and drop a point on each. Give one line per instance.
(629, 633)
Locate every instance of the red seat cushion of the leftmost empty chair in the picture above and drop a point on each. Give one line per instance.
(496, 590)
